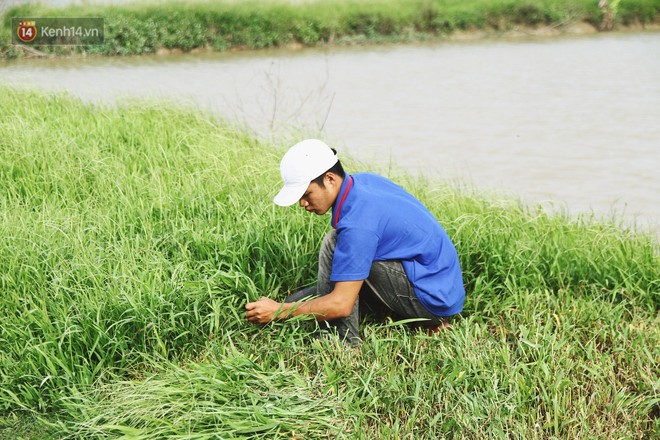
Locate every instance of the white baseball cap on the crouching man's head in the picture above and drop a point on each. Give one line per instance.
(303, 163)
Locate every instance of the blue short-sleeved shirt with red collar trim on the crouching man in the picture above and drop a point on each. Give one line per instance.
(378, 220)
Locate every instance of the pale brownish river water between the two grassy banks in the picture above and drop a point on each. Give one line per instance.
(570, 123)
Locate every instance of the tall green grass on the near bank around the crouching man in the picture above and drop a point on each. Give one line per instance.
(132, 236)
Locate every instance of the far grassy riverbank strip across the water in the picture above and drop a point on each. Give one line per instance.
(150, 28)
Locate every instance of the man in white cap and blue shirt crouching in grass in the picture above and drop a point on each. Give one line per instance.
(385, 246)
